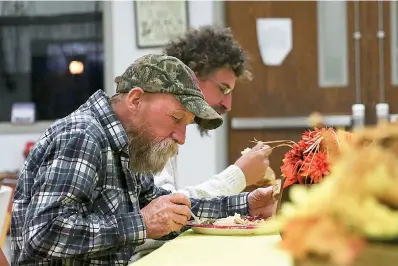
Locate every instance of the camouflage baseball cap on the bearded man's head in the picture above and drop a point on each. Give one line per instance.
(167, 74)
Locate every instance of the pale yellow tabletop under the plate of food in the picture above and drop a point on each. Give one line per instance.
(195, 249)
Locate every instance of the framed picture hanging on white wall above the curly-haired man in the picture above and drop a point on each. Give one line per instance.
(157, 22)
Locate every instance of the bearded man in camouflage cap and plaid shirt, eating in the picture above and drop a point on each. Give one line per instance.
(86, 194)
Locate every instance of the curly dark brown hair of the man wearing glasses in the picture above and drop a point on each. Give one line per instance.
(208, 49)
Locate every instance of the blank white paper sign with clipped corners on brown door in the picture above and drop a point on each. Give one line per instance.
(275, 39)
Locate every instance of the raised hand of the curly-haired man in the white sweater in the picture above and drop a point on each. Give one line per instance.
(254, 163)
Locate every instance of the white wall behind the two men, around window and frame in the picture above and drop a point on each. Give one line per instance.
(200, 157)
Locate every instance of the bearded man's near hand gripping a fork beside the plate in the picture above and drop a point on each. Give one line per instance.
(166, 214)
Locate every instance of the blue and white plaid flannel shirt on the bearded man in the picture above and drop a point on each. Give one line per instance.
(76, 201)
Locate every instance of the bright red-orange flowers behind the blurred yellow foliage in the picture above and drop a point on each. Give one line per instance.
(308, 161)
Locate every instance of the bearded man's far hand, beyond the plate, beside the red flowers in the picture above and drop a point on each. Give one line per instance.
(261, 202)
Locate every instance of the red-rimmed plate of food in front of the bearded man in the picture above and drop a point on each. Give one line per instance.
(235, 225)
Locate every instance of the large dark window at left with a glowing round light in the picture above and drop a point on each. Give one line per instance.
(51, 54)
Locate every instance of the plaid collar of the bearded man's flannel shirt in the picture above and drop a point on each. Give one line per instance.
(114, 130)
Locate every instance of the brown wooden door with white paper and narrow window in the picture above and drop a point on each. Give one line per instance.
(294, 88)
